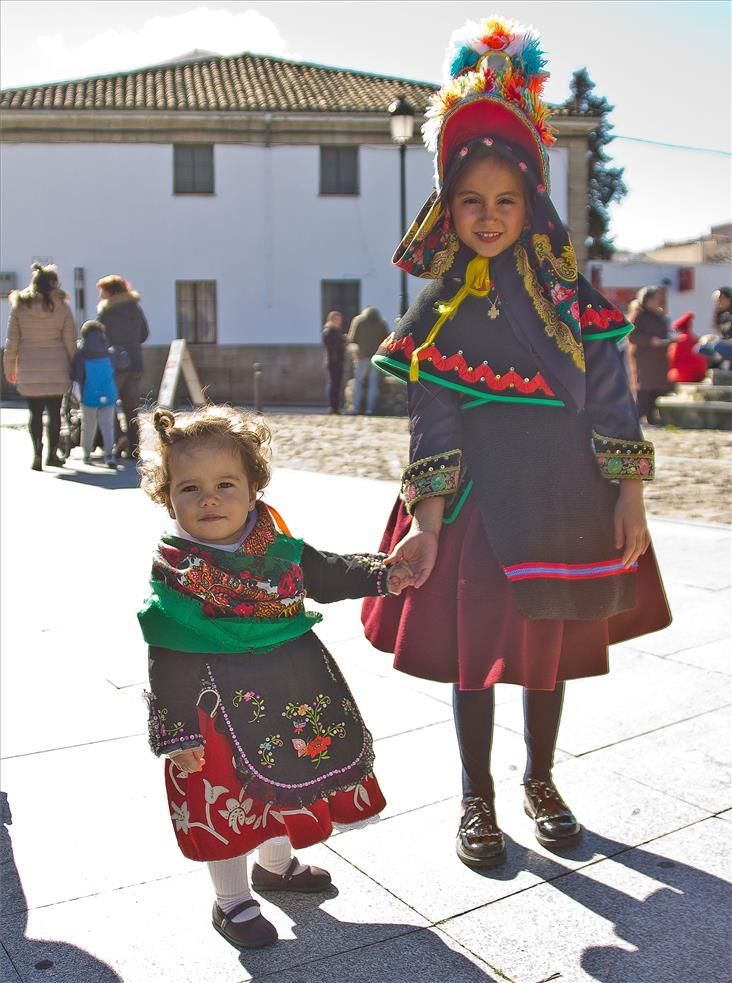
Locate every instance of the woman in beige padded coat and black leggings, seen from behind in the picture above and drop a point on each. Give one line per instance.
(40, 345)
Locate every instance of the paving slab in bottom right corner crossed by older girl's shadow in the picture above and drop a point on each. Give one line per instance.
(655, 914)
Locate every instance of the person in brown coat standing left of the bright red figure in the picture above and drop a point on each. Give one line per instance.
(648, 351)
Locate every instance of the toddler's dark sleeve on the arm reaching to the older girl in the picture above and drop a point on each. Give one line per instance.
(334, 577)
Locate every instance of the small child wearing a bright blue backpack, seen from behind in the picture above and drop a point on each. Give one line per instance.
(92, 373)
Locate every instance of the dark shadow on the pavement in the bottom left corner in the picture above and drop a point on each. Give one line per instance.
(52, 960)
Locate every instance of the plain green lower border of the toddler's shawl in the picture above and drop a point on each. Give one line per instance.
(171, 620)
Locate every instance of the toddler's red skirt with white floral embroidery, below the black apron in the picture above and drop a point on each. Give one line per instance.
(215, 819)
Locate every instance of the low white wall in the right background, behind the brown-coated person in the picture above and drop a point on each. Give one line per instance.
(708, 277)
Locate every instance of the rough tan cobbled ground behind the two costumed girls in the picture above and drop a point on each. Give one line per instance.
(694, 467)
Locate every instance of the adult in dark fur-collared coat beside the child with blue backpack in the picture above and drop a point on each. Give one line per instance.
(124, 322)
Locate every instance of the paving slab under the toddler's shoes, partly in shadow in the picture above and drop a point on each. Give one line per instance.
(179, 943)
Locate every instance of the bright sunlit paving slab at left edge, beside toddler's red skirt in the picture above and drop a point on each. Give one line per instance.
(89, 819)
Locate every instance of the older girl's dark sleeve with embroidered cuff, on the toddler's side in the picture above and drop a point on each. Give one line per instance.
(435, 452)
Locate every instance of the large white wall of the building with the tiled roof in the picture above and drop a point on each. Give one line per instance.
(267, 237)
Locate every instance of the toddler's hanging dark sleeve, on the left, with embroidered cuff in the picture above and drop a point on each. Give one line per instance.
(175, 685)
